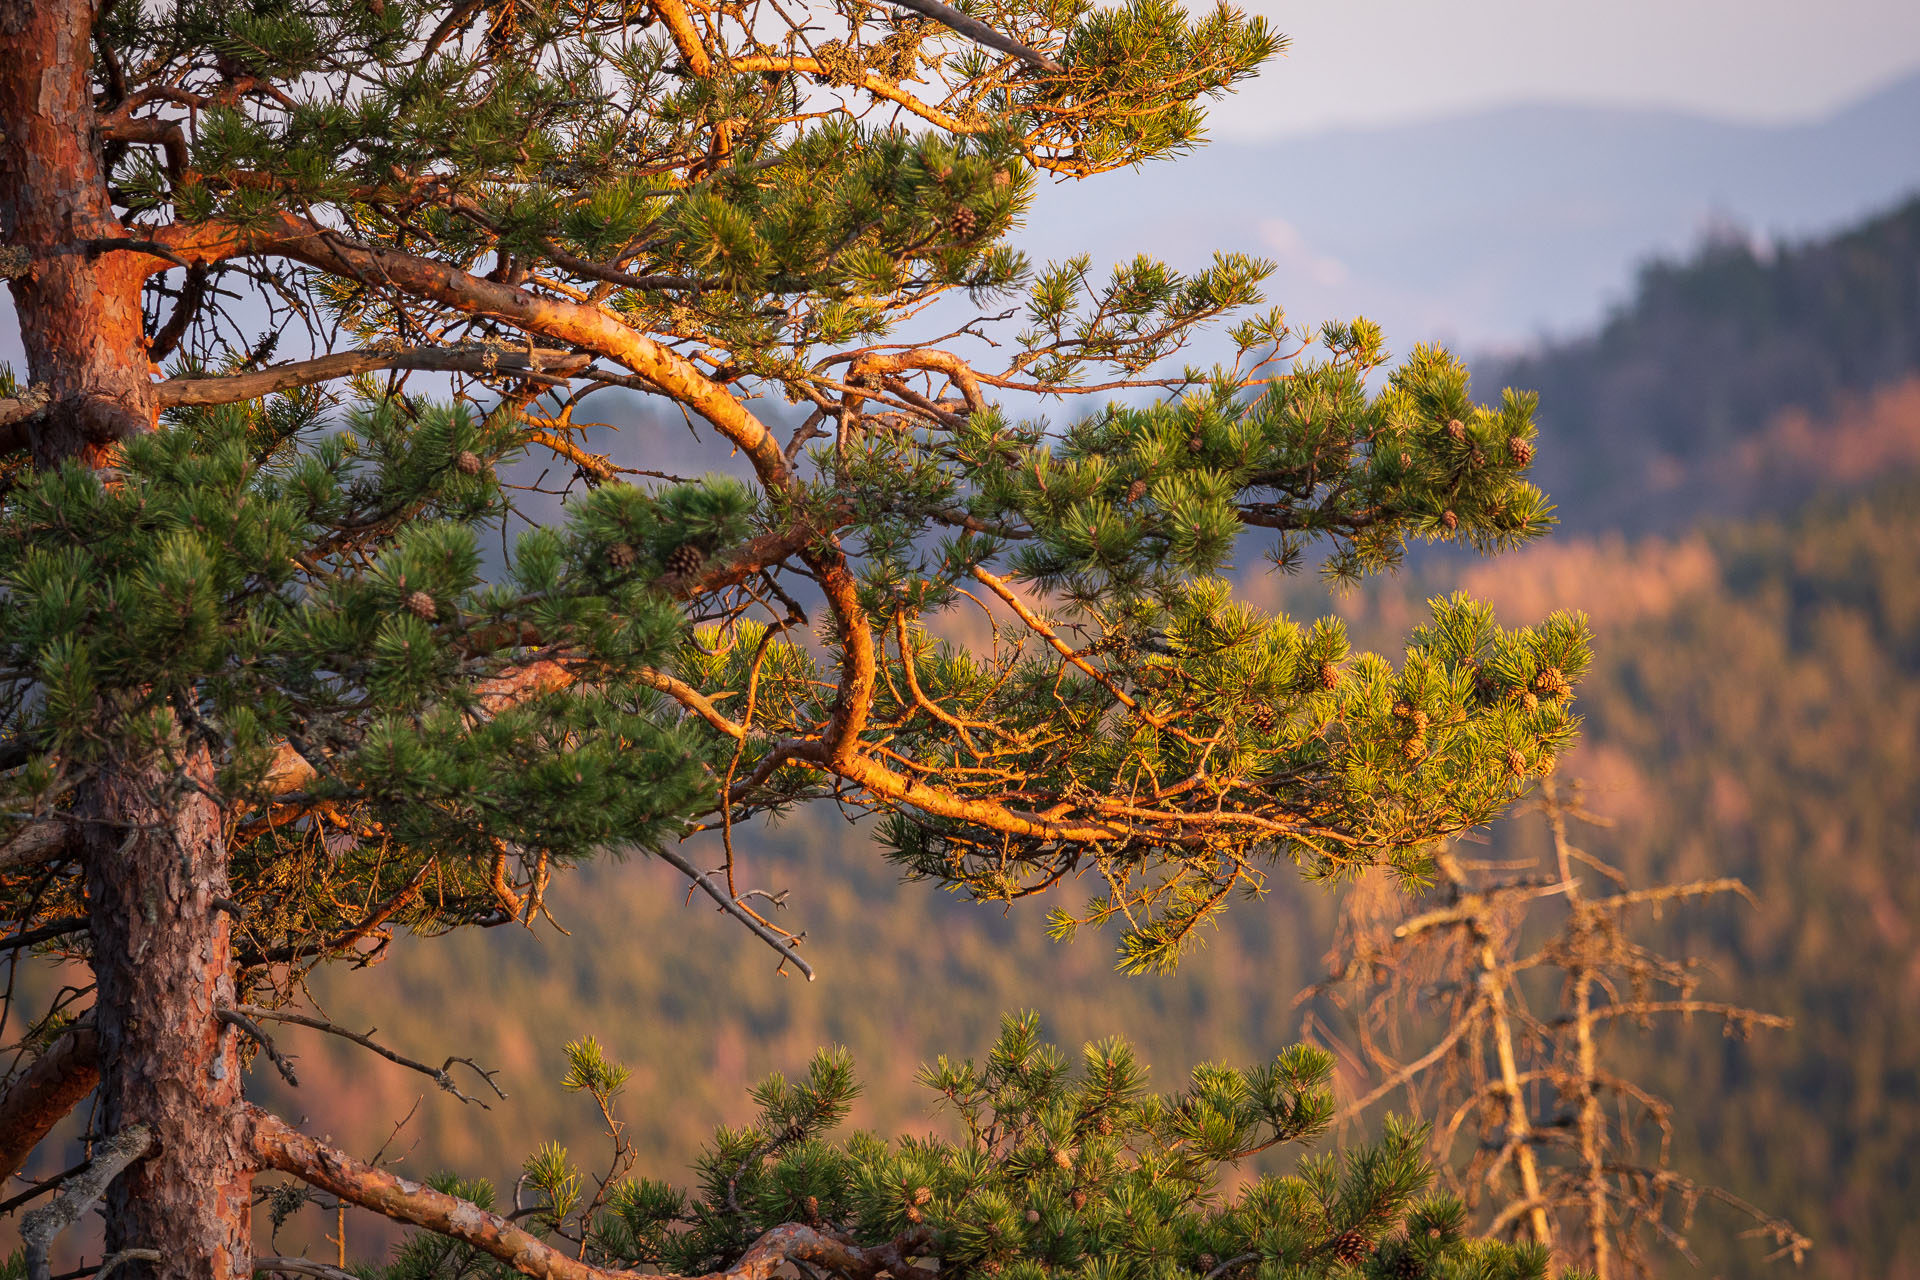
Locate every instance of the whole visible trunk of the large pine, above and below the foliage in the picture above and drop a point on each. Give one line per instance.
(155, 843)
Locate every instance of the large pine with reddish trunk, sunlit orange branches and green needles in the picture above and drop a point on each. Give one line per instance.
(264, 705)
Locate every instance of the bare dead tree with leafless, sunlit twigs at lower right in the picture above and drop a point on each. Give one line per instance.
(1491, 1010)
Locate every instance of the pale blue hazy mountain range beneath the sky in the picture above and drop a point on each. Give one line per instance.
(1491, 229)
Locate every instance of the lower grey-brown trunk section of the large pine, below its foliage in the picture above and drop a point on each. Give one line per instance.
(156, 863)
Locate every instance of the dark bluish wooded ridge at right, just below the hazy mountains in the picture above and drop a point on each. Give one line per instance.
(1669, 410)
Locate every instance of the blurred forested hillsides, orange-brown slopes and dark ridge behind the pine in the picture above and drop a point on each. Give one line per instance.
(1756, 711)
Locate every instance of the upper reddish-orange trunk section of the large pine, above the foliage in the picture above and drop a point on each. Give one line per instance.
(80, 310)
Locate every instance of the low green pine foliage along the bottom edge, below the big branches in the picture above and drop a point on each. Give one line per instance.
(1055, 1172)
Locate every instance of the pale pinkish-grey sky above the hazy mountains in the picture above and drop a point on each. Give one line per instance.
(1370, 62)
